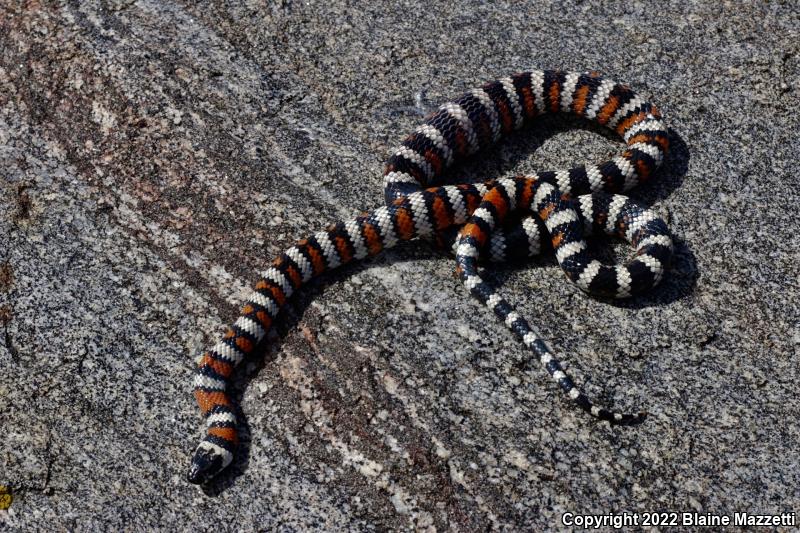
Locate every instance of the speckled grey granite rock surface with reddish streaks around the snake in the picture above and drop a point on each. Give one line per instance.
(155, 155)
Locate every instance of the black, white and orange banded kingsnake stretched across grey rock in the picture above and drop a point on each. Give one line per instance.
(472, 219)
